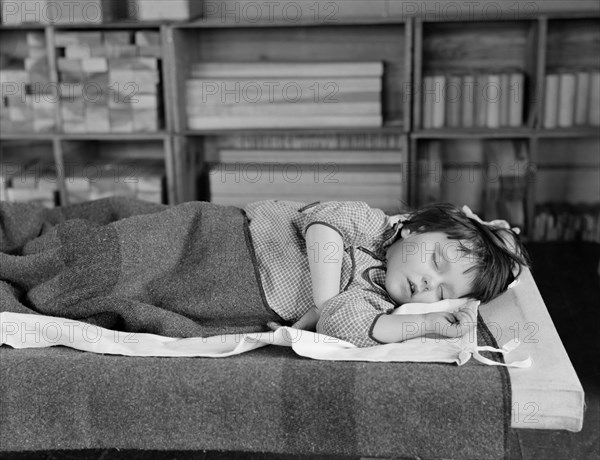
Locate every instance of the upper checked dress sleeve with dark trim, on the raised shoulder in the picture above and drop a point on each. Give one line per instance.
(355, 221)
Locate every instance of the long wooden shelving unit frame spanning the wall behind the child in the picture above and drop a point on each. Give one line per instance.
(412, 44)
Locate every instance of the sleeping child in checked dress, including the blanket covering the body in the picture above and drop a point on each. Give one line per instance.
(200, 269)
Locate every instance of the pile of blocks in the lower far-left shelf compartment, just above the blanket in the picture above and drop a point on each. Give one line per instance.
(33, 181)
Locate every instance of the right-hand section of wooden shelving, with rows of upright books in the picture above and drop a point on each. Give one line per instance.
(536, 46)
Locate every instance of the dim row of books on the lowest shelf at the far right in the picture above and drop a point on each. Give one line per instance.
(566, 222)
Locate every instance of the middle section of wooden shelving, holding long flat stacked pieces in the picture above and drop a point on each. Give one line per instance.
(350, 40)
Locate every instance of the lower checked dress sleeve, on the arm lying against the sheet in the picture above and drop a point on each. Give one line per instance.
(350, 316)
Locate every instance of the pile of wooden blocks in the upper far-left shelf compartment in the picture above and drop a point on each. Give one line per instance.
(28, 101)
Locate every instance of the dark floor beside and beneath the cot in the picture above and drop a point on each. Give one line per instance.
(557, 268)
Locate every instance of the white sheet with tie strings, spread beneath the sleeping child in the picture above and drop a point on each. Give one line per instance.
(35, 331)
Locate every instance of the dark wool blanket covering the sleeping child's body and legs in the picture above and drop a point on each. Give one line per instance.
(127, 265)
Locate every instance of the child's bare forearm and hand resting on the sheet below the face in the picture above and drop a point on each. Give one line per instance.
(397, 328)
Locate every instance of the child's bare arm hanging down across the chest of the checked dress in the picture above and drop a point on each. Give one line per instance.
(325, 250)
